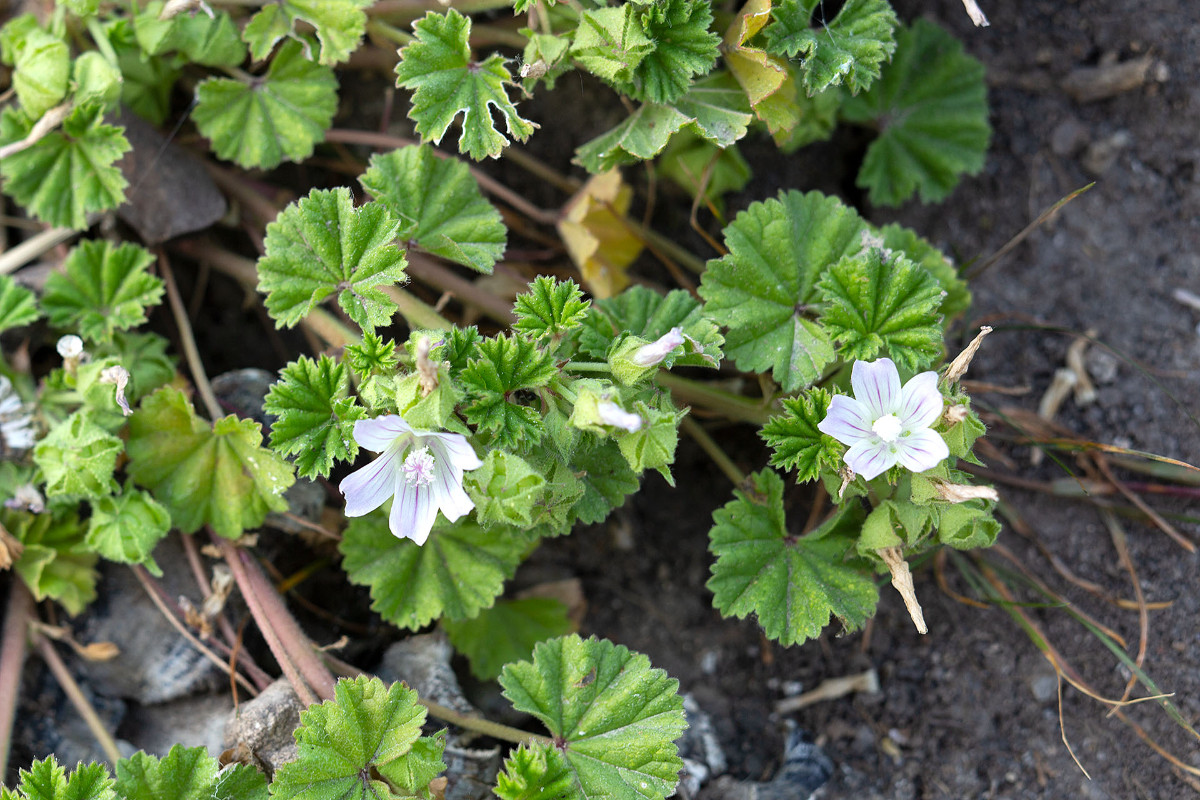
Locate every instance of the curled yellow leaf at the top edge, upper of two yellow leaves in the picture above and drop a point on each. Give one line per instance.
(769, 81)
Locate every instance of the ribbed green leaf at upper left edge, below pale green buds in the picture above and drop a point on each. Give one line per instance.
(68, 173)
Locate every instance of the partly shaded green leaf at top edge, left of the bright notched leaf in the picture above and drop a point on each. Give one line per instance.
(202, 39)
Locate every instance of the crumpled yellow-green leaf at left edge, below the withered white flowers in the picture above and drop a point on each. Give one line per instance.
(55, 563)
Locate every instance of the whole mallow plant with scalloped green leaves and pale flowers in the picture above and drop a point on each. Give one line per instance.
(453, 452)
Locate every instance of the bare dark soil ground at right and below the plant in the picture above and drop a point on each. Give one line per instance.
(969, 711)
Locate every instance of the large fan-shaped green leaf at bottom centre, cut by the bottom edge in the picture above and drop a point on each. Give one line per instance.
(616, 717)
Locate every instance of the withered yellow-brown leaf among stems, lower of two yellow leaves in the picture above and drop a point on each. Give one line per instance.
(598, 237)
